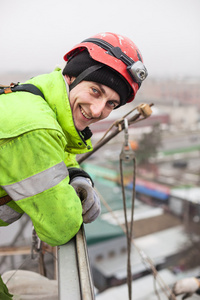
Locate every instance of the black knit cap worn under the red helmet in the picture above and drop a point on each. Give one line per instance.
(105, 75)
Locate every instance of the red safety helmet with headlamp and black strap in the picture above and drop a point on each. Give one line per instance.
(117, 52)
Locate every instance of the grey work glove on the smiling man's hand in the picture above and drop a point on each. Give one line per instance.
(90, 200)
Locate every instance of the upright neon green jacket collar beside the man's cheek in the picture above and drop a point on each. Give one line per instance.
(56, 91)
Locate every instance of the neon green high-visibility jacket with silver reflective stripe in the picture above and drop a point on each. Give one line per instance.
(38, 141)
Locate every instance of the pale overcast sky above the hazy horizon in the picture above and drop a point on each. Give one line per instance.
(36, 34)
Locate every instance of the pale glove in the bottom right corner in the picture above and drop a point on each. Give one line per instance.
(186, 286)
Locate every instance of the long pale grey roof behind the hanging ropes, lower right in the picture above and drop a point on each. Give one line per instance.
(158, 246)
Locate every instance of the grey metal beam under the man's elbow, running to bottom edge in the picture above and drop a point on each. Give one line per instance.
(74, 275)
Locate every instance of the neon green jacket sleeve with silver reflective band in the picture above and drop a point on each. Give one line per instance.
(36, 177)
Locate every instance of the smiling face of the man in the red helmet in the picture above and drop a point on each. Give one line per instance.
(91, 102)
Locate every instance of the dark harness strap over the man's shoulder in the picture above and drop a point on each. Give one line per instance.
(31, 88)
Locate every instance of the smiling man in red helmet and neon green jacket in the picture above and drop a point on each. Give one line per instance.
(42, 133)
